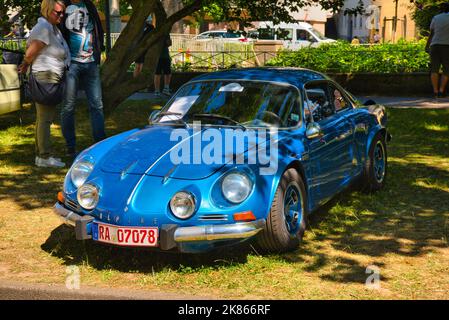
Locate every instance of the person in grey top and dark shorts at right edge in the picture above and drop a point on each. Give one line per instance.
(438, 47)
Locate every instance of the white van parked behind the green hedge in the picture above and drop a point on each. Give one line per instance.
(293, 35)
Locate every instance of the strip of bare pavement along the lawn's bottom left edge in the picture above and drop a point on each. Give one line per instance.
(26, 291)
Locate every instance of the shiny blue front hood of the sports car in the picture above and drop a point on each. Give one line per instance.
(156, 151)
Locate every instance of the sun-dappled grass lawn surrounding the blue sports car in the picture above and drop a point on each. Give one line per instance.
(403, 229)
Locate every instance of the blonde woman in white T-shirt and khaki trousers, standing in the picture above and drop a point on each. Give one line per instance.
(49, 56)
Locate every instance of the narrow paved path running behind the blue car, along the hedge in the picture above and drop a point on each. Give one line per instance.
(394, 102)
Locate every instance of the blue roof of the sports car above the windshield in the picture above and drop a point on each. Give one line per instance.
(293, 76)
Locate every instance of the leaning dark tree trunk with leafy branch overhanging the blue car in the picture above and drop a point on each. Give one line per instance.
(118, 84)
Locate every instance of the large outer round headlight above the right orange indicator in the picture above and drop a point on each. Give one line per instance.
(236, 187)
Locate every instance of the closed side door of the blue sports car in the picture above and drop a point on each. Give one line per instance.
(329, 154)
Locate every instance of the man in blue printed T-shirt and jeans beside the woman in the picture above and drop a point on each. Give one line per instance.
(84, 34)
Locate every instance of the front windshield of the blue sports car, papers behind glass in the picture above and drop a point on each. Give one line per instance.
(234, 103)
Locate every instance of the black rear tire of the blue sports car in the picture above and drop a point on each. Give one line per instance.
(372, 179)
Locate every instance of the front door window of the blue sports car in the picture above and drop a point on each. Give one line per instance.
(318, 101)
